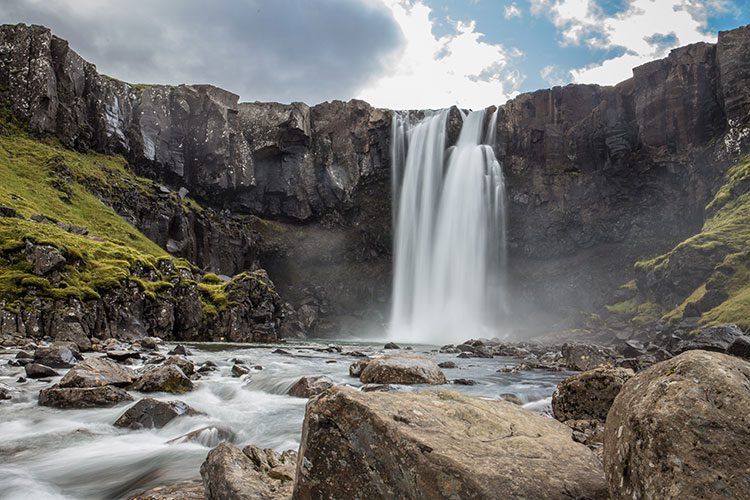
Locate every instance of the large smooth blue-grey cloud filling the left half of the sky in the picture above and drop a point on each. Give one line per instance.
(285, 50)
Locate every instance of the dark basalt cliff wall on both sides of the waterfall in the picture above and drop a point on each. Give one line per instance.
(598, 177)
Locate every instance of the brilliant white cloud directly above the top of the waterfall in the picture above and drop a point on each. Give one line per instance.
(435, 72)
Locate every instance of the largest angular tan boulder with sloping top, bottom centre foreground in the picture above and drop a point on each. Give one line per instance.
(437, 445)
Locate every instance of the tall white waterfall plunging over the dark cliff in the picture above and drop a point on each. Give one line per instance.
(449, 251)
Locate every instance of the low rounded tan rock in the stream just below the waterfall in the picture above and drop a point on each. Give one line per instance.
(402, 370)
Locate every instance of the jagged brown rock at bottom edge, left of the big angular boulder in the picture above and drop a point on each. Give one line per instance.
(249, 474)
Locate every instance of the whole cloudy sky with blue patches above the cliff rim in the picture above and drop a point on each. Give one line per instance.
(399, 54)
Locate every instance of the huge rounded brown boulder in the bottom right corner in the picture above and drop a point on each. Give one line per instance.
(681, 429)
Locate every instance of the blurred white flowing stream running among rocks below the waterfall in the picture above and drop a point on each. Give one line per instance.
(53, 453)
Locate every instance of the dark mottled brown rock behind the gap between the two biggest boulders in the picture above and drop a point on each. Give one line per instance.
(588, 395)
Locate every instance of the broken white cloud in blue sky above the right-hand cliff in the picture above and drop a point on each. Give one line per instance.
(646, 29)
